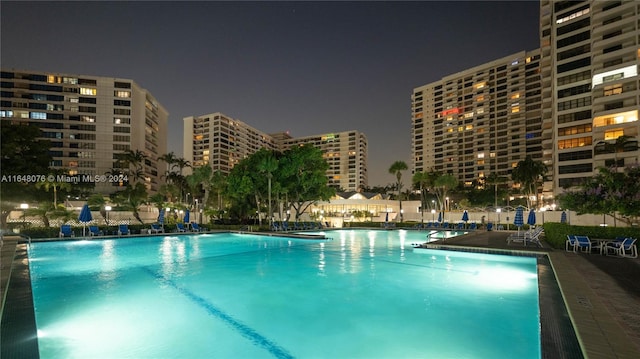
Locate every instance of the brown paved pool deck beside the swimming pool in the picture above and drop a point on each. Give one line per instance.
(602, 293)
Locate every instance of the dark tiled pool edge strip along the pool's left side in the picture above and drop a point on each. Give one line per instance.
(18, 333)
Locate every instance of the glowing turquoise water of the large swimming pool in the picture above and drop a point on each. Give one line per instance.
(362, 294)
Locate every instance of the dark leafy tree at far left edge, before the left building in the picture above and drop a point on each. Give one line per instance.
(21, 153)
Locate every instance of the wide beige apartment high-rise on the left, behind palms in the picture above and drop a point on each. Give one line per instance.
(89, 121)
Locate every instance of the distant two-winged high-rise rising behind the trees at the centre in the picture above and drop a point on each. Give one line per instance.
(221, 142)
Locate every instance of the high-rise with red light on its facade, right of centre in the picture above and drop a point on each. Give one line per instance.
(479, 121)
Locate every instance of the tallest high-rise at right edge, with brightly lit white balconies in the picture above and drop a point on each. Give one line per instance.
(591, 52)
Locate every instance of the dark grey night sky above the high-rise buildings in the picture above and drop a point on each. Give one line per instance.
(304, 67)
